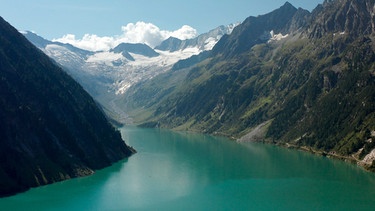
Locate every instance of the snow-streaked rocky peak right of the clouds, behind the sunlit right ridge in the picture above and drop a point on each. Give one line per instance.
(204, 41)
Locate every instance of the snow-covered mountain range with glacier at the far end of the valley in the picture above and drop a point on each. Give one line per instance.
(108, 74)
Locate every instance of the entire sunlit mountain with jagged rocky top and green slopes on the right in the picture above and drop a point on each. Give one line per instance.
(289, 77)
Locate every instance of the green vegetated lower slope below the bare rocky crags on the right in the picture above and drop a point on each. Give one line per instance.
(314, 97)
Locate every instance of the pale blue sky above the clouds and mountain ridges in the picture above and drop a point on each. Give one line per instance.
(53, 19)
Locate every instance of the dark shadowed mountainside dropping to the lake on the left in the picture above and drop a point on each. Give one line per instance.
(51, 129)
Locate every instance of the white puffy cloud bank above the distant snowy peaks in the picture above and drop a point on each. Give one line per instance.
(139, 32)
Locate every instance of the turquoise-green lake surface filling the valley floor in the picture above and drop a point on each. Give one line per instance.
(185, 171)
